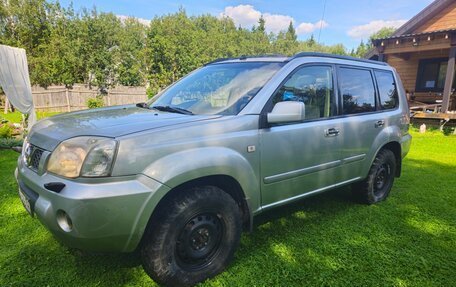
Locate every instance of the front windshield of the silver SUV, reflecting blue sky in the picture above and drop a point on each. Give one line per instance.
(216, 89)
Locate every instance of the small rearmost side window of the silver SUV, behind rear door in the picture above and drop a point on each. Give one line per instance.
(387, 89)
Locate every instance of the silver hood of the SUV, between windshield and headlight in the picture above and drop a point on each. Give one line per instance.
(108, 122)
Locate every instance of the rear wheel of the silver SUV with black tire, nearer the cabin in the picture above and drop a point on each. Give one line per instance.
(378, 183)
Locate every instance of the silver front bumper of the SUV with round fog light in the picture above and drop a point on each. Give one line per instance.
(107, 214)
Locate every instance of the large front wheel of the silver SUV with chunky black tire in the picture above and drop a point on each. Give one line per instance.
(192, 237)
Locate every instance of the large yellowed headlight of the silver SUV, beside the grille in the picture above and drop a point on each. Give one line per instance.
(83, 156)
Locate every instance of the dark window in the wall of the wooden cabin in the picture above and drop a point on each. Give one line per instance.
(431, 75)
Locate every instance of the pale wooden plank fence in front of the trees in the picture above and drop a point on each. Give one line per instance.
(61, 99)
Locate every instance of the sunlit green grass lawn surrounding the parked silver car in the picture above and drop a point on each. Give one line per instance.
(326, 240)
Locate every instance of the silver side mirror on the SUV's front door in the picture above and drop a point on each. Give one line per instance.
(290, 111)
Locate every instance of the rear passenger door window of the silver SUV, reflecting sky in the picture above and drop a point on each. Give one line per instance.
(357, 90)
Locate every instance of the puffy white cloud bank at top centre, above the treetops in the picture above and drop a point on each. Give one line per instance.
(247, 16)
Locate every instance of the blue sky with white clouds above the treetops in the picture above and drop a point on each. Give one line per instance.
(345, 22)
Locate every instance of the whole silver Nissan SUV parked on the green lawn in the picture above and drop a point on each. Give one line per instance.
(181, 176)
